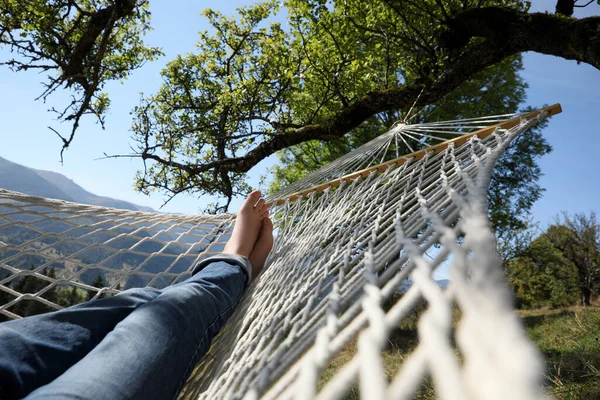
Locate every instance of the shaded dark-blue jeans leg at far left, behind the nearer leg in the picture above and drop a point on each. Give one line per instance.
(35, 350)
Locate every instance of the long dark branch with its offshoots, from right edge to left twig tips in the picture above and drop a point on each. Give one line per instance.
(474, 40)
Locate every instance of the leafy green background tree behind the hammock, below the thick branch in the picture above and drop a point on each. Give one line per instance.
(514, 185)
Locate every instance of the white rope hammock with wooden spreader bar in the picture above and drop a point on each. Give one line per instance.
(342, 248)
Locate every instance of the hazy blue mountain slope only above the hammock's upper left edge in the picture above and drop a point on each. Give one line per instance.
(53, 185)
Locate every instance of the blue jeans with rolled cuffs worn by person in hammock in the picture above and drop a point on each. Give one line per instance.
(139, 344)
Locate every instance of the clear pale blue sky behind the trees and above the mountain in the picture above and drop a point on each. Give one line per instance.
(570, 171)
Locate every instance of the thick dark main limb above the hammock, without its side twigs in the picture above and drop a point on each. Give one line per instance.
(510, 31)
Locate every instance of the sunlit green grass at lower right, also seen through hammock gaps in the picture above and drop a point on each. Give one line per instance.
(568, 338)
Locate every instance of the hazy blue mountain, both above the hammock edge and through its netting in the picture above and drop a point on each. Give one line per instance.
(43, 234)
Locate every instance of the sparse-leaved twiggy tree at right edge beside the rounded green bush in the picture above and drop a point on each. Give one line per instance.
(578, 237)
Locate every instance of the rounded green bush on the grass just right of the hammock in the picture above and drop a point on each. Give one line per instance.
(542, 276)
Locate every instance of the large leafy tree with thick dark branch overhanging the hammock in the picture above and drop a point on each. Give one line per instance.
(254, 89)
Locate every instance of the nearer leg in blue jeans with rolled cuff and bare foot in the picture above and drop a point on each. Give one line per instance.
(151, 352)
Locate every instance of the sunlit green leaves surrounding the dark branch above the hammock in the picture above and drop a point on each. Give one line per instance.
(254, 88)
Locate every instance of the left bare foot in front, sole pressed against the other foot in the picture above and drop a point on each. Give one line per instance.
(248, 223)
